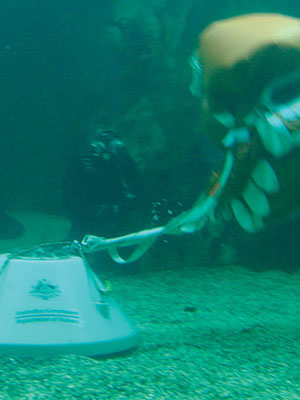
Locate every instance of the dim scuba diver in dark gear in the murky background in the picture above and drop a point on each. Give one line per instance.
(103, 189)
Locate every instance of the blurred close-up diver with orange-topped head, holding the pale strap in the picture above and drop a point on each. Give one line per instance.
(246, 70)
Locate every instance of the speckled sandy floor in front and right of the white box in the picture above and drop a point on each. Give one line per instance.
(206, 333)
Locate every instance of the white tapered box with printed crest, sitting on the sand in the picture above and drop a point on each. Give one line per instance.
(51, 302)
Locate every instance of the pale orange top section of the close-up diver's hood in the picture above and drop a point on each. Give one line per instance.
(228, 41)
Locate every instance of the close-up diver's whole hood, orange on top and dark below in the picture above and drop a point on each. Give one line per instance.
(240, 55)
